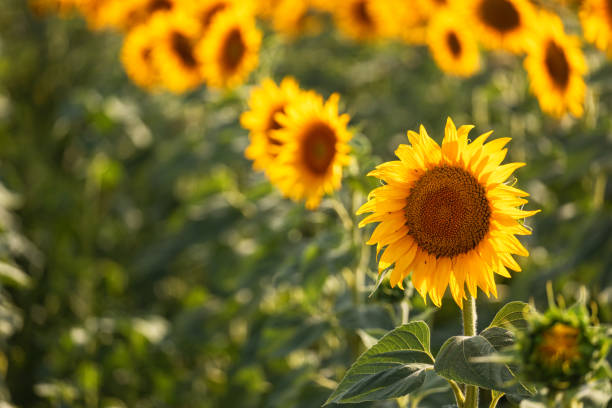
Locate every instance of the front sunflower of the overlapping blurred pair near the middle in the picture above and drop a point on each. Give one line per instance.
(315, 149)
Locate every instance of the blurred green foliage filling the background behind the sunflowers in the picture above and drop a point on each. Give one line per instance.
(160, 271)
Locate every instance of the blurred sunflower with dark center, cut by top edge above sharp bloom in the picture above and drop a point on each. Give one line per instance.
(502, 24)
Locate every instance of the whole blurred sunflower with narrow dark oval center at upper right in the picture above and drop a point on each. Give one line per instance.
(556, 67)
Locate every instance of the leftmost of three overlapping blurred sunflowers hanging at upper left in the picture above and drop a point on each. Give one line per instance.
(137, 56)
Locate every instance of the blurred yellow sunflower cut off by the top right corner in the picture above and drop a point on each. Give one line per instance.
(596, 20)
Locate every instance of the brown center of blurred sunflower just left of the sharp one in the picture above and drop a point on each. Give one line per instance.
(318, 147)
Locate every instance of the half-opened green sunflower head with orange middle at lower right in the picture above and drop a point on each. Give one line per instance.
(560, 348)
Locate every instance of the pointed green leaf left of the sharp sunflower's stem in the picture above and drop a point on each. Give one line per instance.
(398, 364)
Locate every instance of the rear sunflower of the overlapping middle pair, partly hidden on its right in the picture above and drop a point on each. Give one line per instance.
(266, 101)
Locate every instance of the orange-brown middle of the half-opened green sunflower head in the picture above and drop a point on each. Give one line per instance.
(559, 345)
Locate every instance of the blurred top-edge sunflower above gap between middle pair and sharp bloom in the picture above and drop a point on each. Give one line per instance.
(359, 19)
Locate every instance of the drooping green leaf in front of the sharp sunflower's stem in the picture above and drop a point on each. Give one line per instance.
(470, 360)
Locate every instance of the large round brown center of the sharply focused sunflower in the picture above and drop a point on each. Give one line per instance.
(447, 212)
